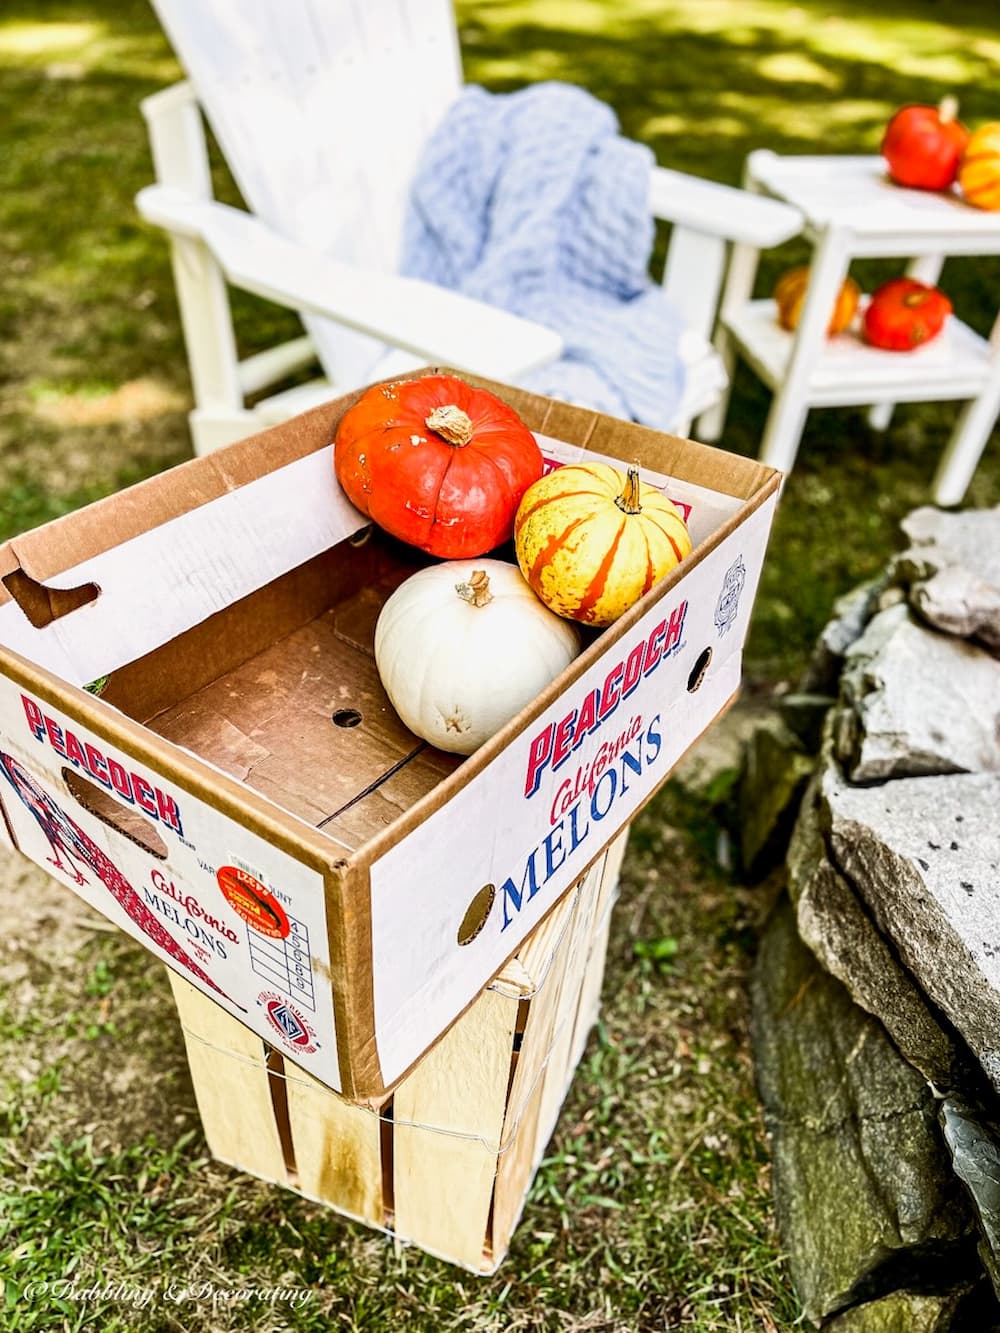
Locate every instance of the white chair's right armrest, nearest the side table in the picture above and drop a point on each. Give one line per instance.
(737, 215)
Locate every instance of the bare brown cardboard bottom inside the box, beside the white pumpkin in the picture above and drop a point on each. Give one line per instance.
(281, 691)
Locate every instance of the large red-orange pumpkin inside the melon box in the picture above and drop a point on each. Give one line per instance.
(437, 463)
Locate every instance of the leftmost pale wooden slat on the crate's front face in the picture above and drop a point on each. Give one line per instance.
(229, 1070)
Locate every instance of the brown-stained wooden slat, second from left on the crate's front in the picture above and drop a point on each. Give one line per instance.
(337, 1146)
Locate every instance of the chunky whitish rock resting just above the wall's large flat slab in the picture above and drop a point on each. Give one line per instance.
(918, 703)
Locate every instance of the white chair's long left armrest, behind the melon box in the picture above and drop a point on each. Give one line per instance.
(405, 313)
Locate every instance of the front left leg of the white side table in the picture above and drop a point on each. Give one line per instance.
(789, 411)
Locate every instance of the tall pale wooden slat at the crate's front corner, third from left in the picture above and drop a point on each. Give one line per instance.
(443, 1183)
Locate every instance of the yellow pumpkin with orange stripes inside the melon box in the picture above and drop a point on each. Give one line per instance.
(591, 541)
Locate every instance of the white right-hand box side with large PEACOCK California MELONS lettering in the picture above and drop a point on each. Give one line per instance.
(529, 826)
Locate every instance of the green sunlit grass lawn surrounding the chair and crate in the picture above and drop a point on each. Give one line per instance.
(653, 1210)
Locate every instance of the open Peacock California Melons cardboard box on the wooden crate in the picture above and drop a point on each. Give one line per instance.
(235, 790)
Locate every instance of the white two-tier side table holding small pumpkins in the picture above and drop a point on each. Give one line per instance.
(854, 211)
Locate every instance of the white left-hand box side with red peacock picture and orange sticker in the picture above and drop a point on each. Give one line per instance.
(239, 919)
